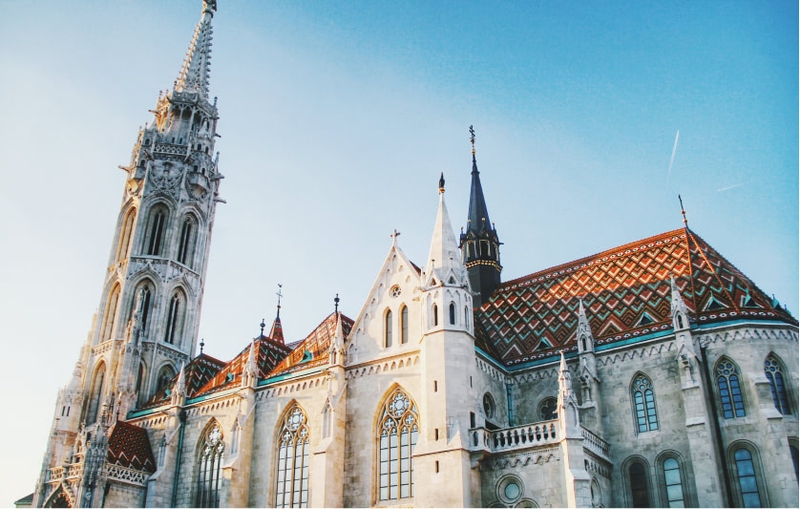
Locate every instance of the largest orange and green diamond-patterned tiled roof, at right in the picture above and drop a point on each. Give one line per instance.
(626, 293)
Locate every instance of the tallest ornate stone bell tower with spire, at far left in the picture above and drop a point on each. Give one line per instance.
(147, 321)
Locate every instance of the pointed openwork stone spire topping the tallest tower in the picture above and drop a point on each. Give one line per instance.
(194, 75)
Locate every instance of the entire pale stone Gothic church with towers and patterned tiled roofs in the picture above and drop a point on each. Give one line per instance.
(651, 374)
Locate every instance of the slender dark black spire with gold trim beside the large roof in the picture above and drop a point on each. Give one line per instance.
(480, 245)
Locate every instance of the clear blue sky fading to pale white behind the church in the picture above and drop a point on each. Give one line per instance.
(336, 119)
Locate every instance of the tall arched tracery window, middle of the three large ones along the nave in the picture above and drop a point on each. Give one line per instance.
(292, 489)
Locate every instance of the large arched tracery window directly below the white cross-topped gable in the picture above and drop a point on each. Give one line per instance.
(397, 435)
